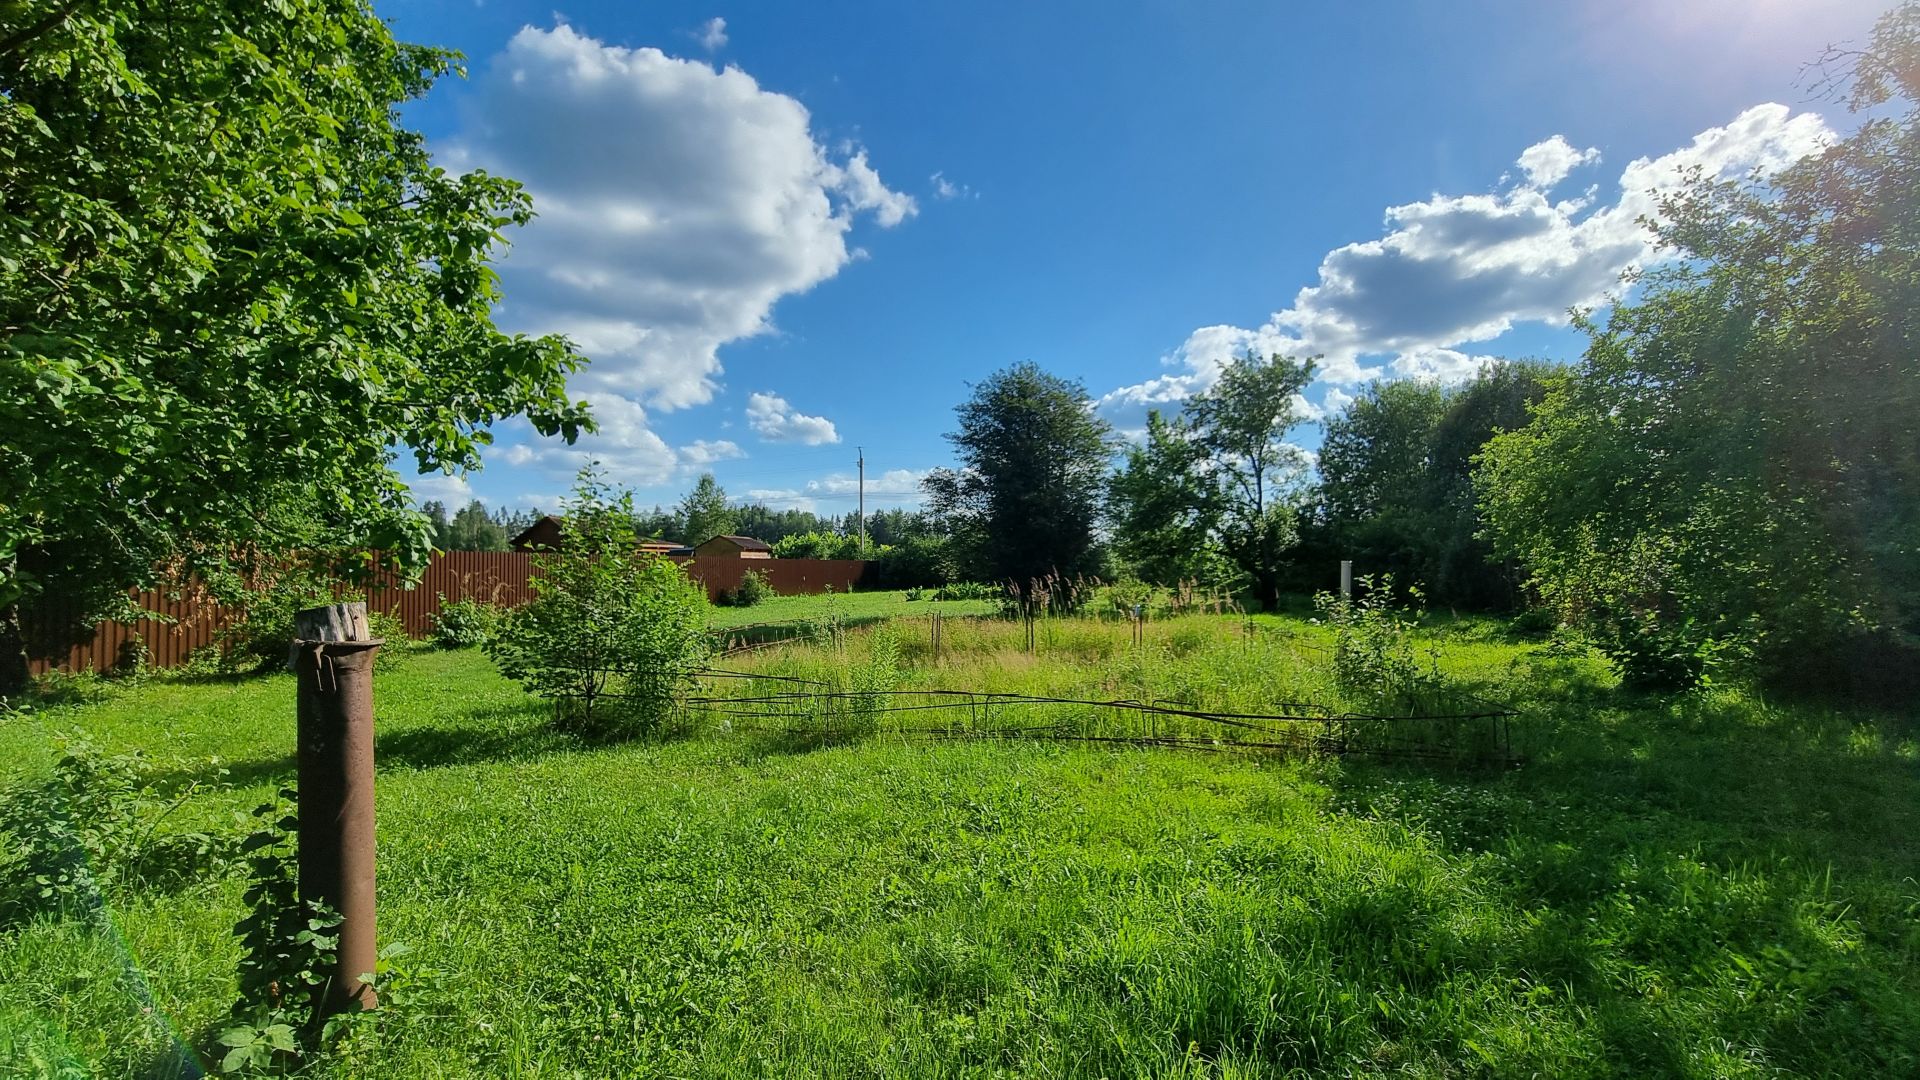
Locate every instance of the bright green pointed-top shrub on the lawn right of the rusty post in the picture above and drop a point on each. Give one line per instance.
(608, 624)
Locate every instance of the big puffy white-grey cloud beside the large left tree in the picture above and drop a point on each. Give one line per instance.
(677, 205)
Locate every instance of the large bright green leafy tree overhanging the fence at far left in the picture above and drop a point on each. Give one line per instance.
(229, 285)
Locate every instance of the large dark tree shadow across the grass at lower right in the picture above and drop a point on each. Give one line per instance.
(1748, 858)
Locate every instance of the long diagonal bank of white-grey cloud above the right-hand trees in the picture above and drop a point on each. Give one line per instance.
(1462, 270)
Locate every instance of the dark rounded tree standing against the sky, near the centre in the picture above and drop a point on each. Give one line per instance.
(1024, 503)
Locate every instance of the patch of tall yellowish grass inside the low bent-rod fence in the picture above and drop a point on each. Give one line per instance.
(1082, 679)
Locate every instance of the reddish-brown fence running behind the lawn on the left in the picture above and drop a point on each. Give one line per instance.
(195, 622)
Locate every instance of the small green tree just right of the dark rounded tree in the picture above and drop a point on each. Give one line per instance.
(1164, 506)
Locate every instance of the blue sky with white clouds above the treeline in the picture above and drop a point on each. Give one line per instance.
(788, 232)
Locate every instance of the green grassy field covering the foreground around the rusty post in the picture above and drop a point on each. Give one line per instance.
(1698, 887)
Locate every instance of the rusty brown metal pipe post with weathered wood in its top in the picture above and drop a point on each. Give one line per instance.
(333, 662)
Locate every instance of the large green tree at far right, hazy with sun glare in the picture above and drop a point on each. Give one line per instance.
(1733, 472)
